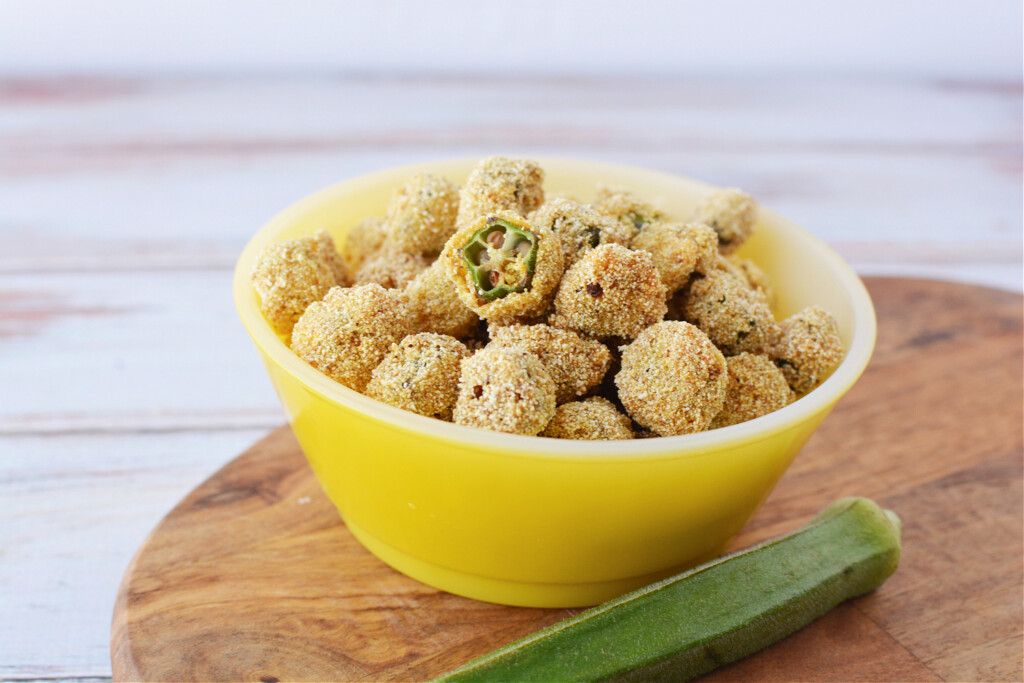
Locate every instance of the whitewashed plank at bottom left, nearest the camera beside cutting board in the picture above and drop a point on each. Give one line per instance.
(73, 511)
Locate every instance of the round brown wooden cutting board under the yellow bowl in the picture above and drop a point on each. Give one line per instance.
(253, 577)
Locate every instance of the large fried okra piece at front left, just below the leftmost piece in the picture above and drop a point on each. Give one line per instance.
(348, 334)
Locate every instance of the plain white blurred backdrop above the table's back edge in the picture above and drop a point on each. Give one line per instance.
(960, 39)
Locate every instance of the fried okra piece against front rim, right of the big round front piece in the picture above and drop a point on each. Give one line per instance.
(756, 388)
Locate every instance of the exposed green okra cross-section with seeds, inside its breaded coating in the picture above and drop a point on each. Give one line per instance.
(501, 259)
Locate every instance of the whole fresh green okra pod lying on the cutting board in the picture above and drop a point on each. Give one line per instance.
(715, 614)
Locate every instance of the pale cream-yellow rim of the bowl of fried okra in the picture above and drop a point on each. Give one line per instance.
(820, 400)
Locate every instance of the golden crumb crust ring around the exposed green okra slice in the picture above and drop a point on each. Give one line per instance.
(533, 302)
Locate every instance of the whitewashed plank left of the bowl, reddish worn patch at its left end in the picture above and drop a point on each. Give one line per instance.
(154, 351)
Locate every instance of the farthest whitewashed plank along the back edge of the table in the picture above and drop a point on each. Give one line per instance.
(130, 117)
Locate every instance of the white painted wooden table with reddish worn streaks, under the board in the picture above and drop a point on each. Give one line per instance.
(126, 378)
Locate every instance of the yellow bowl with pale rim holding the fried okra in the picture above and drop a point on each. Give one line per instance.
(536, 522)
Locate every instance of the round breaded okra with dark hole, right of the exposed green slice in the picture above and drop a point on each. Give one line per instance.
(611, 292)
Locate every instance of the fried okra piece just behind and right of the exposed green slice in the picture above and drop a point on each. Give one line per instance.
(580, 228)
